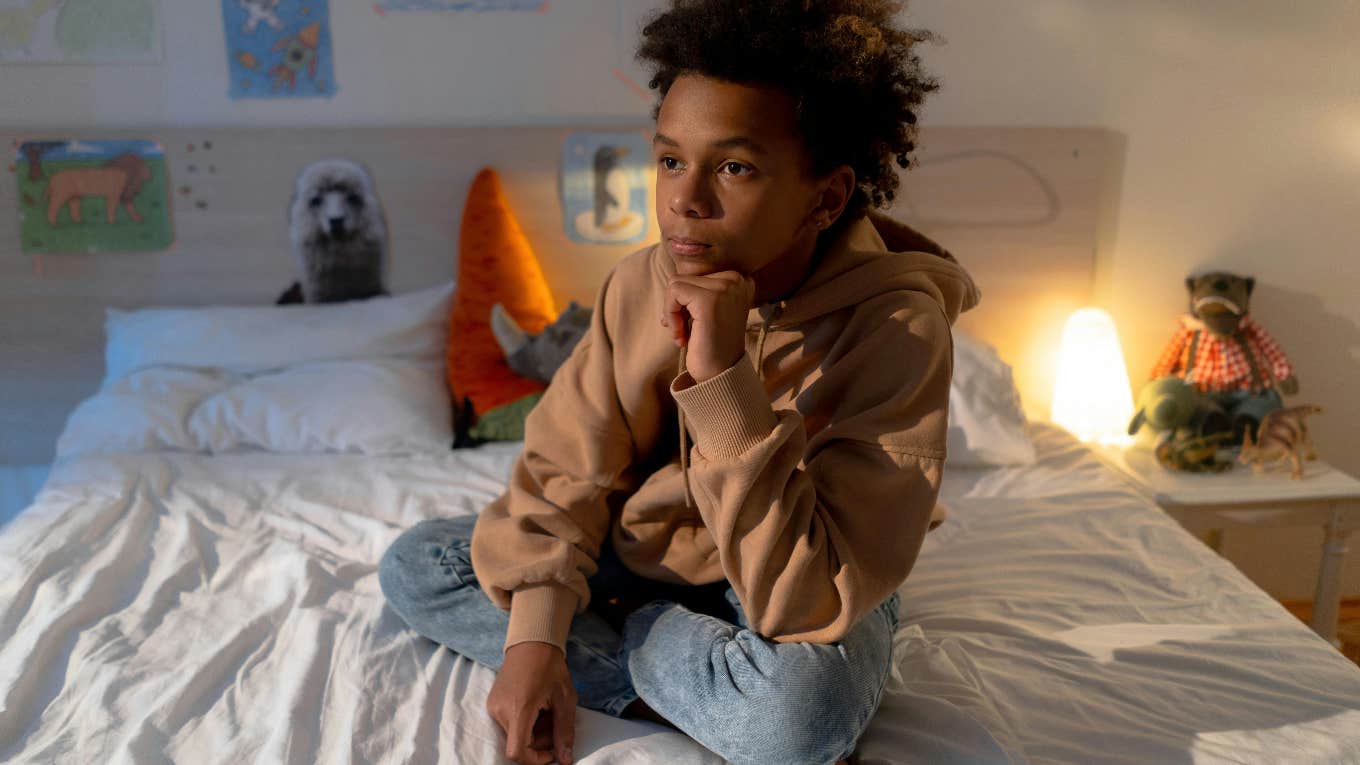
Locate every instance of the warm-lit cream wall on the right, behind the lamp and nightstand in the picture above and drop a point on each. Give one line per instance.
(1244, 153)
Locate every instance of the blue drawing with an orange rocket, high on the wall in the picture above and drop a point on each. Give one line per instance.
(279, 48)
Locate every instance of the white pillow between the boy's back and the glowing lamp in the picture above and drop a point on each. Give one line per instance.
(987, 421)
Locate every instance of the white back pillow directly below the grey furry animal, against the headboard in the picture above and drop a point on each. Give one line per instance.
(252, 340)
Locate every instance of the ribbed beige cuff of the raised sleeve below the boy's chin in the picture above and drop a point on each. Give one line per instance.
(731, 412)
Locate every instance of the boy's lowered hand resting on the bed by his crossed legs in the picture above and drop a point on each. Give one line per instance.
(535, 704)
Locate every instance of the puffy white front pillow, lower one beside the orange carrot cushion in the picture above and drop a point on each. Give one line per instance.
(368, 406)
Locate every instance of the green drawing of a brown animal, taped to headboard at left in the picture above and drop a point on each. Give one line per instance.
(93, 197)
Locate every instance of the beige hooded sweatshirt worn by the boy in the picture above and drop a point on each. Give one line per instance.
(815, 461)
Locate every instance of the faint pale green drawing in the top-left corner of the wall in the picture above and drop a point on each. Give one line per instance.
(80, 32)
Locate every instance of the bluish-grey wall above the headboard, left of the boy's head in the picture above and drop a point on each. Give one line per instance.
(409, 69)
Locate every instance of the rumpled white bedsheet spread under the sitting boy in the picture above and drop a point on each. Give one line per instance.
(192, 609)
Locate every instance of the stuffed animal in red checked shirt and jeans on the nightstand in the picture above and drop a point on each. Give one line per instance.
(1237, 368)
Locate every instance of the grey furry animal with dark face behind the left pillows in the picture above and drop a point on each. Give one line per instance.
(339, 235)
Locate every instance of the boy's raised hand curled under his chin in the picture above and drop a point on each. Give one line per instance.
(709, 315)
